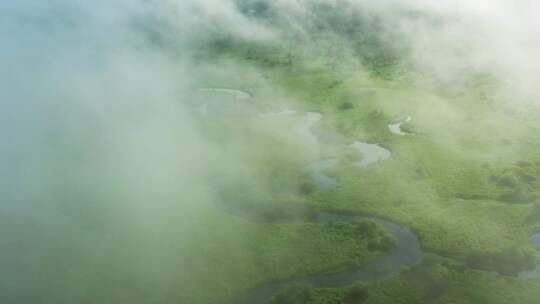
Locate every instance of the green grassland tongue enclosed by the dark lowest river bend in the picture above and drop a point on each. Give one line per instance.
(234, 254)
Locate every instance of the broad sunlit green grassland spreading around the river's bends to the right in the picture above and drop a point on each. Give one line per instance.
(464, 179)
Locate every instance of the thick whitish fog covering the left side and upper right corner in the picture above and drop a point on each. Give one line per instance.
(106, 171)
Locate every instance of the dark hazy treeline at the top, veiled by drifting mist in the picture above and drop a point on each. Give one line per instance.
(341, 23)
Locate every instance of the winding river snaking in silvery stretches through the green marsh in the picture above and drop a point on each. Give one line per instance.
(407, 251)
